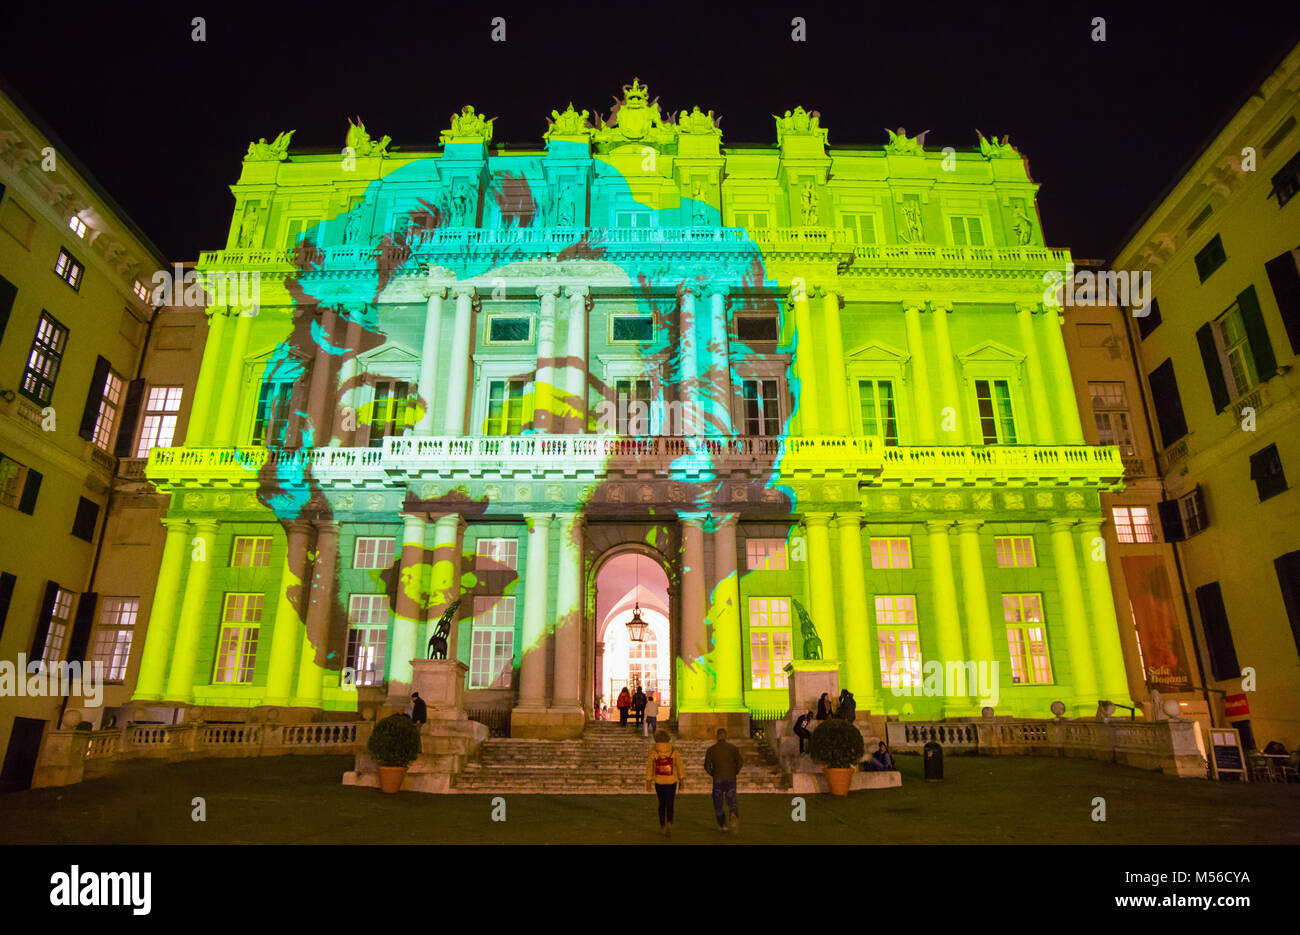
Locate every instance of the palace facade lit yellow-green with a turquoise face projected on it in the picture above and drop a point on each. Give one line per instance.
(820, 393)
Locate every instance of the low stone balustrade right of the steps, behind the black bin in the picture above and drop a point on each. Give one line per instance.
(1165, 746)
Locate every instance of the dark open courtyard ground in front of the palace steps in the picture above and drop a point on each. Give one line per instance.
(301, 800)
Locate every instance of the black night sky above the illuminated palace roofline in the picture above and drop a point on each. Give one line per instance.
(163, 123)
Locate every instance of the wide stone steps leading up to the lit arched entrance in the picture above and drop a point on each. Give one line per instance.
(608, 760)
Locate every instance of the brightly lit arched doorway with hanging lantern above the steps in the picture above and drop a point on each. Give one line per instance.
(629, 579)
